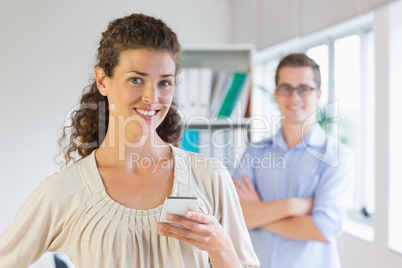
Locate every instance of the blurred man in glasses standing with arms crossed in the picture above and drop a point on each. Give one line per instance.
(294, 211)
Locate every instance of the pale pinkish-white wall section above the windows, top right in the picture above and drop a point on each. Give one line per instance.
(267, 23)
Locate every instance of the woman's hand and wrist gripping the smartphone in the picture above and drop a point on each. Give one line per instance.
(204, 232)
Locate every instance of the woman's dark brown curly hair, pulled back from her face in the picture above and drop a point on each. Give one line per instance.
(89, 123)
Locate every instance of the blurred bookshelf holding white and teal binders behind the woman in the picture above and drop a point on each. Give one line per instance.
(214, 105)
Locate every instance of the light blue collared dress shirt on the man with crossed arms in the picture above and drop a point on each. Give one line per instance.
(319, 167)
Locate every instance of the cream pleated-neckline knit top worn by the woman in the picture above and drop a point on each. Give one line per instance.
(71, 212)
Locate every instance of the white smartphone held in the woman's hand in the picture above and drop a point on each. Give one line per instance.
(178, 205)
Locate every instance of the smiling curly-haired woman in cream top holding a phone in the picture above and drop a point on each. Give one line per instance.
(103, 211)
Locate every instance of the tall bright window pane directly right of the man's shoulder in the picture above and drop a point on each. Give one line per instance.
(354, 90)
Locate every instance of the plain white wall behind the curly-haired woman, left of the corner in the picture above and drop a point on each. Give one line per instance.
(47, 52)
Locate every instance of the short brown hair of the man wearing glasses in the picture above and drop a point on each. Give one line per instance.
(299, 60)
